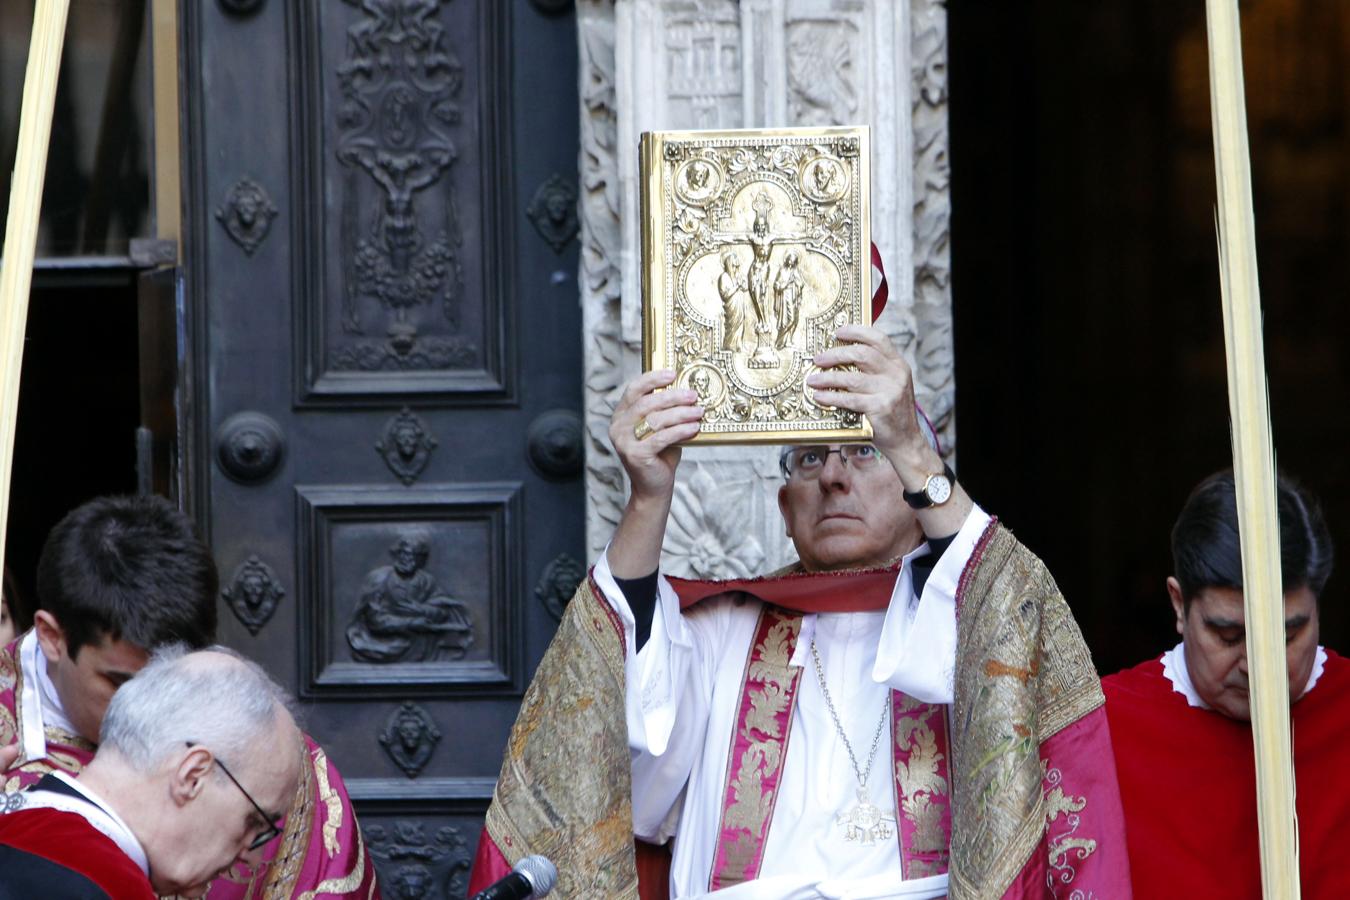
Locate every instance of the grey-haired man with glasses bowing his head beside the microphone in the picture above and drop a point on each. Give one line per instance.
(159, 812)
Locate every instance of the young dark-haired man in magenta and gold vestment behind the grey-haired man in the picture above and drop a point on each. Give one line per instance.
(119, 578)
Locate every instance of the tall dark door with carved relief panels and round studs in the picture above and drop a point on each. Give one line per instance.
(385, 334)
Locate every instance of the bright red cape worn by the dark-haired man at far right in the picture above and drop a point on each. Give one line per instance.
(1189, 787)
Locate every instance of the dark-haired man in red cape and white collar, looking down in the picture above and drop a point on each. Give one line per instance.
(1181, 723)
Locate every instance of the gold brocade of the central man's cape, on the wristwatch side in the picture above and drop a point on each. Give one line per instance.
(1024, 674)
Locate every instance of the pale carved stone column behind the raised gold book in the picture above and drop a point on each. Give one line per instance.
(720, 64)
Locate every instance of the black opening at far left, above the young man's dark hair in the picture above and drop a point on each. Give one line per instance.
(79, 405)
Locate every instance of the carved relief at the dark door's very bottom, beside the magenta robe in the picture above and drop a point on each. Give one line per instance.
(414, 864)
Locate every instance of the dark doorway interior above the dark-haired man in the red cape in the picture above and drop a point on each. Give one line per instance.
(1089, 329)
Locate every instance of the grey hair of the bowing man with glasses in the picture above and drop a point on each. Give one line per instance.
(182, 697)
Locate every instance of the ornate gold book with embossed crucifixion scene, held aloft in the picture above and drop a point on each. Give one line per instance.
(755, 252)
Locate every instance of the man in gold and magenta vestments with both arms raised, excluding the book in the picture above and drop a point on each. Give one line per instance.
(908, 712)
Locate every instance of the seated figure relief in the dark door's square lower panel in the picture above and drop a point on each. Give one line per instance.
(404, 616)
